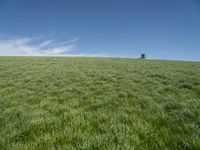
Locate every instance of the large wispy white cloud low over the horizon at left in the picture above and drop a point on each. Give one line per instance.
(26, 46)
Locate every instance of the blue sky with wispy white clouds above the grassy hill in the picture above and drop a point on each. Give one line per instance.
(163, 29)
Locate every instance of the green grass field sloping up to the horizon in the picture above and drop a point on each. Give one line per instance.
(98, 103)
